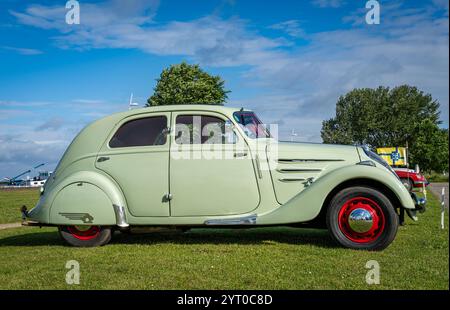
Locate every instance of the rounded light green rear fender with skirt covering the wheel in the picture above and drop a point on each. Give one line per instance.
(85, 197)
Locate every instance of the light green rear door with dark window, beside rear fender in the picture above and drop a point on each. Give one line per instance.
(136, 156)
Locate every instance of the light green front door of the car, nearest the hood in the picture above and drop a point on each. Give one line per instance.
(211, 172)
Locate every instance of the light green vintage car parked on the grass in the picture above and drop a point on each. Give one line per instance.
(184, 166)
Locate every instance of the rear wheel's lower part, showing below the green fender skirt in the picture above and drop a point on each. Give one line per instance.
(85, 236)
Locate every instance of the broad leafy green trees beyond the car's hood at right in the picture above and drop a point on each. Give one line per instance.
(391, 117)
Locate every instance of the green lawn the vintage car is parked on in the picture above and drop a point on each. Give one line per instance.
(259, 258)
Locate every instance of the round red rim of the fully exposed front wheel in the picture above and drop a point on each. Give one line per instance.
(366, 206)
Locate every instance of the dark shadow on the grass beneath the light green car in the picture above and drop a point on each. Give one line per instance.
(252, 236)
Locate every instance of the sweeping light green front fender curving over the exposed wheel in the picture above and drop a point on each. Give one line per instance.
(306, 205)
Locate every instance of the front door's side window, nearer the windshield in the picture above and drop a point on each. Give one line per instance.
(203, 129)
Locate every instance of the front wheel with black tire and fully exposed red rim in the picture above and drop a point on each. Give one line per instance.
(383, 226)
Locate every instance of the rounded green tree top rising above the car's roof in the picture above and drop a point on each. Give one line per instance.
(188, 84)
